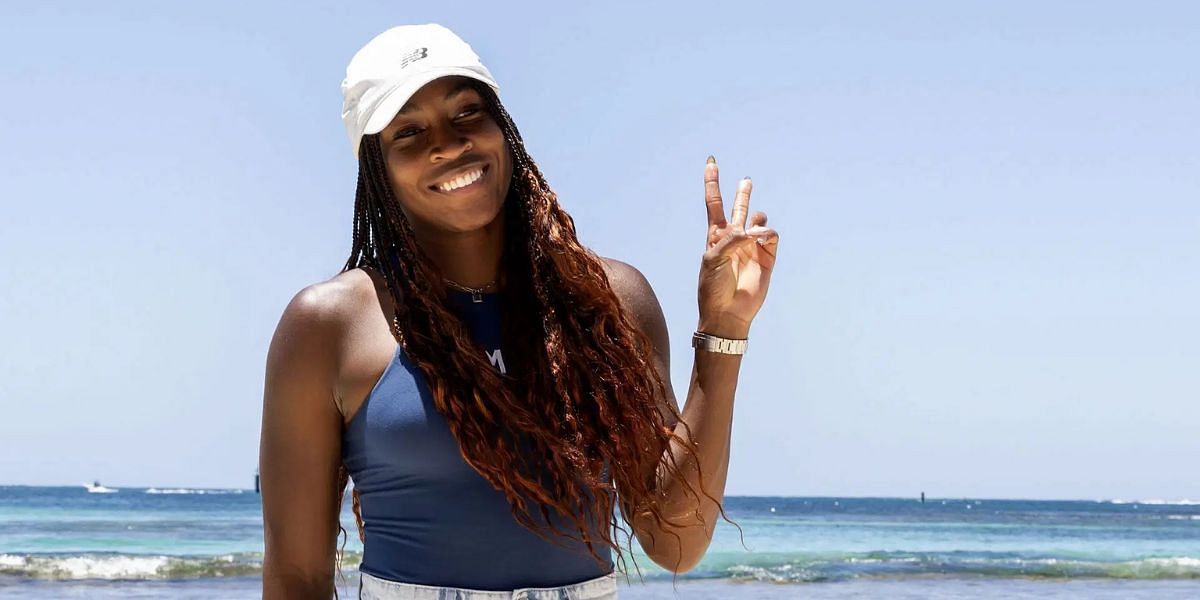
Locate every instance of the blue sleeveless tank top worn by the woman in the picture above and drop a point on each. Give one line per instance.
(429, 518)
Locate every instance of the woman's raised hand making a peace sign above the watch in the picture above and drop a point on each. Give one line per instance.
(739, 261)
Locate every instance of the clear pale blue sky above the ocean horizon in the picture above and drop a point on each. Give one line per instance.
(991, 215)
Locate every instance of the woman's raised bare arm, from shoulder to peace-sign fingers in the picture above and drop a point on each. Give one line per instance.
(739, 261)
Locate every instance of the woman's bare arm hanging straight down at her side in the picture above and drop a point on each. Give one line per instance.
(301, 452)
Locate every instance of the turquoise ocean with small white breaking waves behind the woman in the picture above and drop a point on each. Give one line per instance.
(183, 543)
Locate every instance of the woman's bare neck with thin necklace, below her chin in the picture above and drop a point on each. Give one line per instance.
(469, 259)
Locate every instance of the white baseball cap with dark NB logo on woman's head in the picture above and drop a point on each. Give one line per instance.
(386, 73)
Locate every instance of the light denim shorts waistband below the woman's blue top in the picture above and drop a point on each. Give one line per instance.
(375, 589)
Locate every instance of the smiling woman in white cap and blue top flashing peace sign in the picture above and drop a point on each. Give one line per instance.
(493, 387)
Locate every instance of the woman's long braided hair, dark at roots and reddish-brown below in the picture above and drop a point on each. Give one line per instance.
(577, 416)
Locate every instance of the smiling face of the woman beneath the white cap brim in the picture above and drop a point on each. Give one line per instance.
(448, 163)
